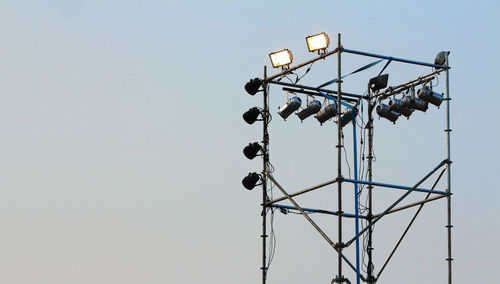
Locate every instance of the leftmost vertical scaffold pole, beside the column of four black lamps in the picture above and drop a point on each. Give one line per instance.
(265, 149)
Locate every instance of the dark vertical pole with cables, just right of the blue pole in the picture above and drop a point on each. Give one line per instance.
(370, 277)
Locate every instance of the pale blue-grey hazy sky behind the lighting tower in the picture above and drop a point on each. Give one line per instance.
(121, 150)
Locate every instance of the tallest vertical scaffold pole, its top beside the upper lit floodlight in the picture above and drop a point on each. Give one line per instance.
(339, 164)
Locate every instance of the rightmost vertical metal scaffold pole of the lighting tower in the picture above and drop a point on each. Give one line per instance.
(448, 130)
